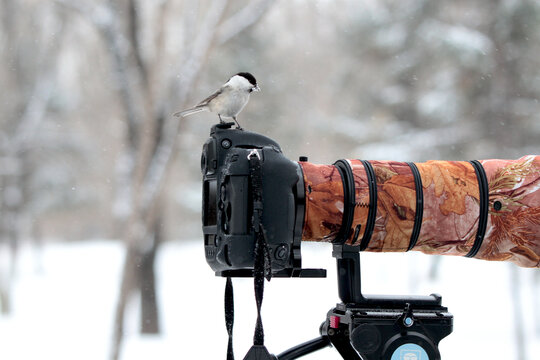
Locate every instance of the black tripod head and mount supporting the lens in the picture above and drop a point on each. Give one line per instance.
(377, 327)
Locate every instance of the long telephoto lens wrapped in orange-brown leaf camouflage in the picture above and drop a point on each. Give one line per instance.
(488, 209)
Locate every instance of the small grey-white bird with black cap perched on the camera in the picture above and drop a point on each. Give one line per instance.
(227, 101)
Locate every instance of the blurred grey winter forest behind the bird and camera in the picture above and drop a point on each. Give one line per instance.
(89, 149)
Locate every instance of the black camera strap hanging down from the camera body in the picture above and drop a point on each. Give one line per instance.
(262, 268)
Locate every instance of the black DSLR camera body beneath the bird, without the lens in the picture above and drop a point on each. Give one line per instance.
(228, 203)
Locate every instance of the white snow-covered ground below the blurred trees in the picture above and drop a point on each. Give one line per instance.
(65, 309)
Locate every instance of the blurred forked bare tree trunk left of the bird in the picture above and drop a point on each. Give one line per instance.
(151, 134)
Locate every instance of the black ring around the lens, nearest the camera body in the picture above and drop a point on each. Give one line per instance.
(348, 201)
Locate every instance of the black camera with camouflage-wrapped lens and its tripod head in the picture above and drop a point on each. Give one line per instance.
(487, 209)
